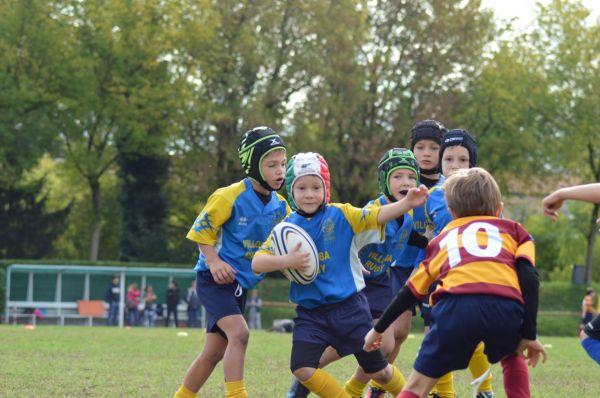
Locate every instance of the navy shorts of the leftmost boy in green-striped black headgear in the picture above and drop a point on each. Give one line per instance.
(219, 300)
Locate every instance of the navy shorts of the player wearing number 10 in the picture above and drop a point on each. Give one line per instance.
(461, 323)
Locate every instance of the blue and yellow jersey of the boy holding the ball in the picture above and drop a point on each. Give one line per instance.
(339, 231)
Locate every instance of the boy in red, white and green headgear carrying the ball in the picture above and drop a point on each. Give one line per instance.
(332, 310)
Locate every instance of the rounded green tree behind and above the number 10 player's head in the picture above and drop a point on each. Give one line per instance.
(509, 109)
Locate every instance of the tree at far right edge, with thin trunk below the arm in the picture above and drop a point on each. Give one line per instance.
(570, 44)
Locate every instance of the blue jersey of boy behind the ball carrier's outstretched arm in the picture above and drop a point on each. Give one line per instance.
(378, 257)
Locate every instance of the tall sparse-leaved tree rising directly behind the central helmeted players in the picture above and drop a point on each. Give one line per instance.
(388, 65)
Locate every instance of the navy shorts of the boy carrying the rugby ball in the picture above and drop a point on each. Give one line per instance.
(343, 325)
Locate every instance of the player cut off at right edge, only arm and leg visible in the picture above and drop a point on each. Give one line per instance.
(590, 335)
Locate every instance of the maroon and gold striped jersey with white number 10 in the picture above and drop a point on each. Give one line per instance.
(474, 255)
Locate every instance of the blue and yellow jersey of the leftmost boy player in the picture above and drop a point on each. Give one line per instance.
(236, 222)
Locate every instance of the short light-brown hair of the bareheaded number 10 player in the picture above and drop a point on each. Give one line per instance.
(473, 192)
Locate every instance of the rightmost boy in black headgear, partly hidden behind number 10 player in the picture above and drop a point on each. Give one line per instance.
(458, 150)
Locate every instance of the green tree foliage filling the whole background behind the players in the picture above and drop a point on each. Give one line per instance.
(179, 81)
